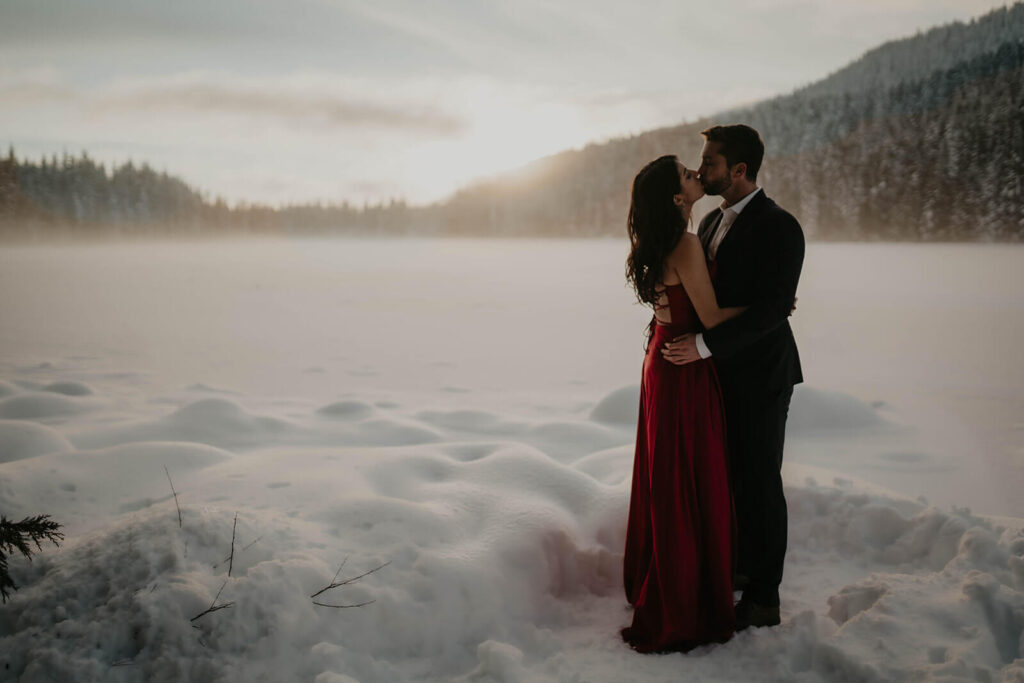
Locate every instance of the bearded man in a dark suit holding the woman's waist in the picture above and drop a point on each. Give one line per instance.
(757, 250)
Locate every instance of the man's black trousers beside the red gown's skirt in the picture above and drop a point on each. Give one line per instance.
(756, 430)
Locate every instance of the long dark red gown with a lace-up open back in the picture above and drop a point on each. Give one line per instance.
(678, 563)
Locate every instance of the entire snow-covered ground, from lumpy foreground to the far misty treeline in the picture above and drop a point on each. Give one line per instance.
(461, 414)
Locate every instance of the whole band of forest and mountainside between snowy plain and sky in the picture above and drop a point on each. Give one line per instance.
(921, 140)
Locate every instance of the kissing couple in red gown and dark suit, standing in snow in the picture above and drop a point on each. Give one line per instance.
(707, 514)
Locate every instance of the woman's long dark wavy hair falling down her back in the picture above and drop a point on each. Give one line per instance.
(656, 226)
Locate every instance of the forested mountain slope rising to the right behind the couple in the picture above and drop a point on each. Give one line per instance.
(922, 139)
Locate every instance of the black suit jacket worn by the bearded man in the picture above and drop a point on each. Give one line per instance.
(758, 266)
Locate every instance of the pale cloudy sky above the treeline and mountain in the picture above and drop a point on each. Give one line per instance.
(332, 101)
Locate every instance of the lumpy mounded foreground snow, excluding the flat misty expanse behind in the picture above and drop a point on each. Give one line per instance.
(502, 537)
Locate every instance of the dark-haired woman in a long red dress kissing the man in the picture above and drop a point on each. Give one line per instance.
(678, 563)
